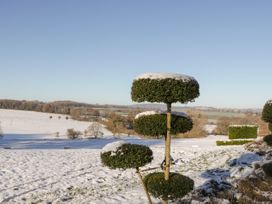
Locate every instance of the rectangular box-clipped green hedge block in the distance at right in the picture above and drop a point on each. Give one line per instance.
(242, 132)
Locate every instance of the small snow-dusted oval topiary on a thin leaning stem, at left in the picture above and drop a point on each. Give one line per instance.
(125, 156)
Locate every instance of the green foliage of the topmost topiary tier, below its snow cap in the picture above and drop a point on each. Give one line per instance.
(164, 90)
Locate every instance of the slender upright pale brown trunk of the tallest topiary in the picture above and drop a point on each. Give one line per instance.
(167, 146)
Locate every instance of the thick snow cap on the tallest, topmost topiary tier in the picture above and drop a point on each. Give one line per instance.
(160, 76)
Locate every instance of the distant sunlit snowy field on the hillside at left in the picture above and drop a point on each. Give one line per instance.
(29, 122)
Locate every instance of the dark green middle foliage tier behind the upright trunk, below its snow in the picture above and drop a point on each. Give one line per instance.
(155, 125)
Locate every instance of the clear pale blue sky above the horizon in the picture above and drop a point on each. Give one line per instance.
(90, 51)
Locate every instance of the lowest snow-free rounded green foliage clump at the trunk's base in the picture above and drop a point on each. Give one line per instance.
(176, 187)
